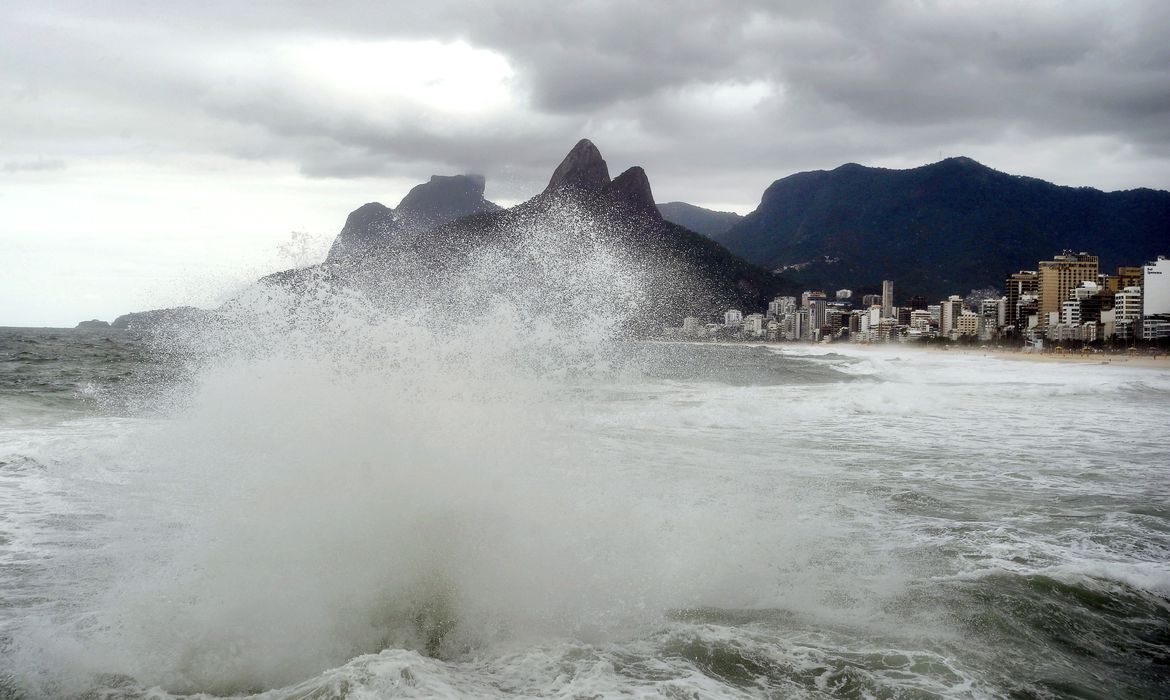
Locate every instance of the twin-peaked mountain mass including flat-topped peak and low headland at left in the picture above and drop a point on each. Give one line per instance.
(539, 255)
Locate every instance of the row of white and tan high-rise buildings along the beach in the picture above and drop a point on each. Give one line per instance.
(1065, 299)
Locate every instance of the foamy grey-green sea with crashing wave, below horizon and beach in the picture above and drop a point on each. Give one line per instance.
(422, 511)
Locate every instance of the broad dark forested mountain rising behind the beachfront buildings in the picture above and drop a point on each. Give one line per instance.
(942, 229)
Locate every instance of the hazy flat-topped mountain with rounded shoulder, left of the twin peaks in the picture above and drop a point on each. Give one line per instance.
(439, 201)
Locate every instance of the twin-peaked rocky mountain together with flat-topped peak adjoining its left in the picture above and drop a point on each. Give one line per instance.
(677, 271)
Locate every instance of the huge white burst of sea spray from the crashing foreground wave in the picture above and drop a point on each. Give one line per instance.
(348, 468)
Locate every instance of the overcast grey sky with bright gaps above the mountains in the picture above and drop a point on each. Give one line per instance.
(157, 153)
